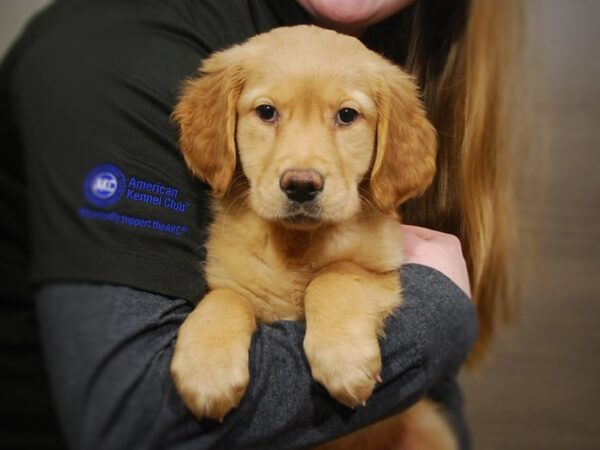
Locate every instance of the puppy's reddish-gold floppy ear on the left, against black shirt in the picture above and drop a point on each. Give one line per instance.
(206, 115)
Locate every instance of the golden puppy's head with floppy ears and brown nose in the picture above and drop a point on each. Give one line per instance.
(317, 123)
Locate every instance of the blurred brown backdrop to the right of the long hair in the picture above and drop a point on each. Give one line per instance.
(542, 390)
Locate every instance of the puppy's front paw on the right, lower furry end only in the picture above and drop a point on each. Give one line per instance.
(347, 364)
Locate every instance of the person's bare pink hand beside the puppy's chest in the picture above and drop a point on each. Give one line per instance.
(438, 250)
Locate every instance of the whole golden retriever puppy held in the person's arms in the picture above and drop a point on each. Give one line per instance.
(310, 143)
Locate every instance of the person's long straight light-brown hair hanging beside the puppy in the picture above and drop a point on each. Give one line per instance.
(463, 54)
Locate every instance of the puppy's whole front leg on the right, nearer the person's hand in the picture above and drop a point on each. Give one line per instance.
(345, 307)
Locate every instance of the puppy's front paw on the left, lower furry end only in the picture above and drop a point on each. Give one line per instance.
(211, 379)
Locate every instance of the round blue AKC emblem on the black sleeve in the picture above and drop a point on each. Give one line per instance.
(104, 185)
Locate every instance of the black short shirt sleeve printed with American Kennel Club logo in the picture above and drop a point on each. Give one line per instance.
(92, 87)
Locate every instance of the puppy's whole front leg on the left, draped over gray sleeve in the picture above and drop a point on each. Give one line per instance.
(210, 363)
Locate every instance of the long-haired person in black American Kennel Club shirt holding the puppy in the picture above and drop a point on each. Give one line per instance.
(102, 218)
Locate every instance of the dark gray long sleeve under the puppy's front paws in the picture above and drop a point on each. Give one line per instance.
(109, 348)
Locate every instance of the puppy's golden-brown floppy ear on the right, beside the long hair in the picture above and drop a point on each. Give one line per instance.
(404, 163)
